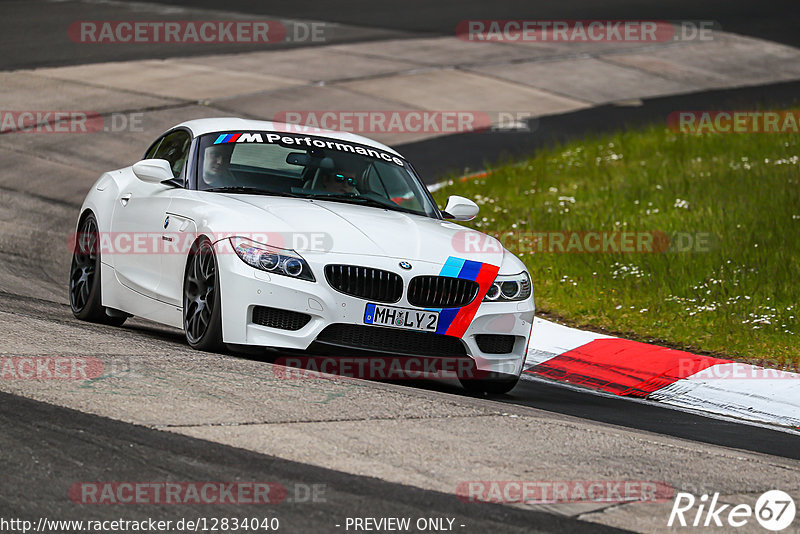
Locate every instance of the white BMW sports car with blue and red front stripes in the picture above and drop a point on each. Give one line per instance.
(252, 233)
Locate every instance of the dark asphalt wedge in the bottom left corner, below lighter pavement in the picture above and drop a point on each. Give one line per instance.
(71, 446)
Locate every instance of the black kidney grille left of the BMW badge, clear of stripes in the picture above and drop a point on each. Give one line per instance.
(365, 282)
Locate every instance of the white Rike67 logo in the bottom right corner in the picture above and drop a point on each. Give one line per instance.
(774, 510)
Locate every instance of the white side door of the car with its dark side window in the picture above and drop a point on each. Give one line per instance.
(140, 218)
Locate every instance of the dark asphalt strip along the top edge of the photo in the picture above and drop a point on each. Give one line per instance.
(32, 33)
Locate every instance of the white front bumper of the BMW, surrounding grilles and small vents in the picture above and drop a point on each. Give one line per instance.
(242, 288)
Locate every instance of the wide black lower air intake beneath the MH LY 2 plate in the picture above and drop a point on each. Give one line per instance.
(392, 341)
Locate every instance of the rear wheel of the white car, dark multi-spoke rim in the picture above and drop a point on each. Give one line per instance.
(85, 293)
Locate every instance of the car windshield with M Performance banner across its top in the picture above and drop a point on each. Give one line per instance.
(310, 167)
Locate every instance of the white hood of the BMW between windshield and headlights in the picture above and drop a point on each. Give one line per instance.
(327, 226)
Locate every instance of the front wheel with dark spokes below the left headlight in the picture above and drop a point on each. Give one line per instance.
(202, 313)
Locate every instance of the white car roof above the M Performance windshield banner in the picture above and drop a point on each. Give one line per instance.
(222, 124)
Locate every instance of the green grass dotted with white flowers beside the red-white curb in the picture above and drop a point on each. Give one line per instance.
(738, 297)
